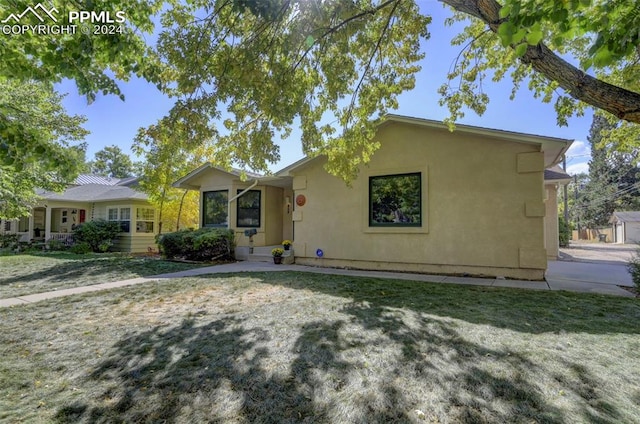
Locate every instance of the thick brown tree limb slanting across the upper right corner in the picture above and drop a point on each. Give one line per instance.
(622, 103)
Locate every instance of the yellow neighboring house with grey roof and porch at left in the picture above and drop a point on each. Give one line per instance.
(89, 199)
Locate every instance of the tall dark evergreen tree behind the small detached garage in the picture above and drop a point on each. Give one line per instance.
(613, 183)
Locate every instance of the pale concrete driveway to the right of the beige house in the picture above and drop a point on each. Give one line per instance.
(592, 267)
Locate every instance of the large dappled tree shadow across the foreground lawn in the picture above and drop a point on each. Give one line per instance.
(218, 373)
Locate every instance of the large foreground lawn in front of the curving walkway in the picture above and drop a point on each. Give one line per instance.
(296, 347)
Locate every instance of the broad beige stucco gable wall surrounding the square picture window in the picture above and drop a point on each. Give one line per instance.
(483, 207)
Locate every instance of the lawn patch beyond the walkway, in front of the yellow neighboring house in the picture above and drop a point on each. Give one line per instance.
(36, 273)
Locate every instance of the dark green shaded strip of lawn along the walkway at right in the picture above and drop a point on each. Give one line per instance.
(522, 310)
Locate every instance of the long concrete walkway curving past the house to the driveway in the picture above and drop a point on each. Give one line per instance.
(571, 276)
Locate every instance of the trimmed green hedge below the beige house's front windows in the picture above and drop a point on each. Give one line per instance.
(198, 245)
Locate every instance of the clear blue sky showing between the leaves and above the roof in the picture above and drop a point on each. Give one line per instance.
(112, 121)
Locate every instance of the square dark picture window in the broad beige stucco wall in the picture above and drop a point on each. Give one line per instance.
(395, 200)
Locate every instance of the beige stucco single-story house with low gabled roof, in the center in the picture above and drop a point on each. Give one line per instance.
(473, 201)
